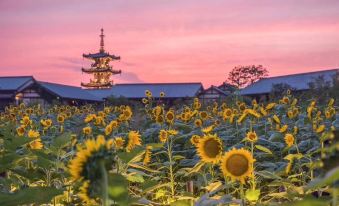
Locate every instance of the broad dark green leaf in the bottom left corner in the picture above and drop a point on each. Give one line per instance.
(31, 195)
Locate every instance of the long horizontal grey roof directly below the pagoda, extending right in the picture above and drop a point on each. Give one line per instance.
(172, 90)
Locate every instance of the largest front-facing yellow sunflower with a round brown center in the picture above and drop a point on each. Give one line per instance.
(237, 164)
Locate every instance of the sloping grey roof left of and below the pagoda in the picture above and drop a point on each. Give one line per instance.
(69, 92)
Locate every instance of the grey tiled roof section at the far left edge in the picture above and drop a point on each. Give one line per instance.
(15, 82)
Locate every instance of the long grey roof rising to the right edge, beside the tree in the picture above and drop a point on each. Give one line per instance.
(297, 81)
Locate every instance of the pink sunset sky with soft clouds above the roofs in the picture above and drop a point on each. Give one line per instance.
(167, 40)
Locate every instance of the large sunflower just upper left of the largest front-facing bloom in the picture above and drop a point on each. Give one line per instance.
(210, 148)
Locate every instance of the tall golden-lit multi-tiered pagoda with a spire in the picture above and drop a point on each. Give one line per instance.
(100, 68)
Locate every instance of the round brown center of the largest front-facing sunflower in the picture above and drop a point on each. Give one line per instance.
(237, 165)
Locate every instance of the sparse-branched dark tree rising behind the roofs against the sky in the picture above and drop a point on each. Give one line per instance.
(242, 76)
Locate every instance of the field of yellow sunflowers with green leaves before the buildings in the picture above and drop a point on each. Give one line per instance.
(283, 152)
